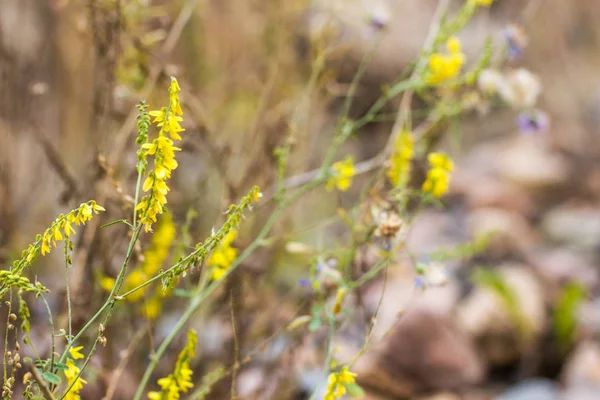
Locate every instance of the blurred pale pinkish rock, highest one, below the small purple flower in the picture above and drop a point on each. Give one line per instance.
(530, 165)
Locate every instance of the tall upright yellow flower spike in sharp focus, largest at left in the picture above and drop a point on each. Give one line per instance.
(162, 149)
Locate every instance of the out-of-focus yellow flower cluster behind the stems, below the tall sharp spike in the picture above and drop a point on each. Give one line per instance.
(153, 260)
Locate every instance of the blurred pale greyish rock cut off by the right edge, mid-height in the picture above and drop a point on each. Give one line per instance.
(577, 227)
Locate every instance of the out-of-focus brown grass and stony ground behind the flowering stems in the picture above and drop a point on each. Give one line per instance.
(519, 320)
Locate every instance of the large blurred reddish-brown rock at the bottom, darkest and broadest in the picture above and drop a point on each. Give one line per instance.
(424, 352)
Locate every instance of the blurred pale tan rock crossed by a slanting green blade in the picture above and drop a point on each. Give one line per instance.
(486, 317)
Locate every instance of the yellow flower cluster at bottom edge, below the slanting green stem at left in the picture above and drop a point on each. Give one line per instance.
(181, 379)
